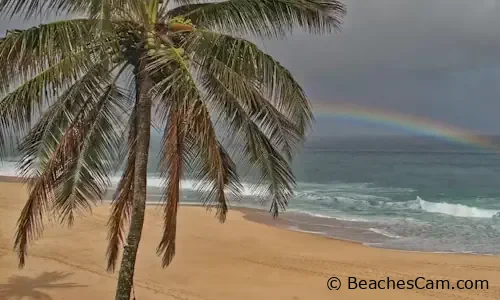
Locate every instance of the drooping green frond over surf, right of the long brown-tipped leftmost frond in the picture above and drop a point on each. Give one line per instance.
(94, 156)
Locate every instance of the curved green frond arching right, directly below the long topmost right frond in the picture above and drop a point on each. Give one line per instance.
(222, 54)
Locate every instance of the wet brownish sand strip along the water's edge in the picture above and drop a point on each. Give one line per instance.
(304, 223)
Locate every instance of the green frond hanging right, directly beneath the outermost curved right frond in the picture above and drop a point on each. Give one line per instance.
(243, 83)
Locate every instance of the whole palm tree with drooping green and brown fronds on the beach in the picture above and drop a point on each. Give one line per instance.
(82, 93)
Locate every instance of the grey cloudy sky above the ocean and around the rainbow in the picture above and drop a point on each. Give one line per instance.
(435, 59)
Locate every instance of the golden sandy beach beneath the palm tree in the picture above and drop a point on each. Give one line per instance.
(237, 260)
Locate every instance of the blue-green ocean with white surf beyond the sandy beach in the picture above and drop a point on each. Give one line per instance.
(406, 193)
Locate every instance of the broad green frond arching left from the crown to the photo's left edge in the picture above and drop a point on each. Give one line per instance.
(39, 67)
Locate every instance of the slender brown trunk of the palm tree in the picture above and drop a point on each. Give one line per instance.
(143, 125)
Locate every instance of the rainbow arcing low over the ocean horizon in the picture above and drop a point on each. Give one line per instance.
(406, 122)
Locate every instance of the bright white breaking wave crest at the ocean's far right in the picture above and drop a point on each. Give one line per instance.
(457, 210)
